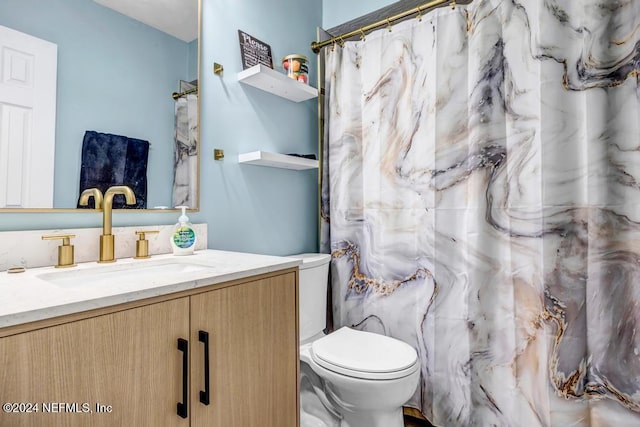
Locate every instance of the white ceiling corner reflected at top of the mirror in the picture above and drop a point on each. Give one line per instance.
(176, 17)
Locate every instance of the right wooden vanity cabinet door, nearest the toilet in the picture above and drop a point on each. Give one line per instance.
(253, 339)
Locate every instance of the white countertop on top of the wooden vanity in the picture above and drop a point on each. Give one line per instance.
(47, 292)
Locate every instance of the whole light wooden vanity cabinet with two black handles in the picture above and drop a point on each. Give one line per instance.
(126, 360)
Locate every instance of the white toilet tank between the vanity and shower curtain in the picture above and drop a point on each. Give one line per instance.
(312, 281)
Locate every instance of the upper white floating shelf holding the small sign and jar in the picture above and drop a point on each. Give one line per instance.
(277, 83)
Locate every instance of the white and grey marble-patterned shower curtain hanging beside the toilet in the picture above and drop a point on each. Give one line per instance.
(481, 200)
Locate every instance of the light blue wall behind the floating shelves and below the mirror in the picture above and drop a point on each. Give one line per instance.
(248, 208)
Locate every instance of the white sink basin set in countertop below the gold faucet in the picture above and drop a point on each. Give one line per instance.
(131, 272)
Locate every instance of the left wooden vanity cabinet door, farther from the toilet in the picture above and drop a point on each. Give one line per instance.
(128, 362)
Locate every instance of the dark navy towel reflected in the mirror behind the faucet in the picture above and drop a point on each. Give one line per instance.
(109, 160)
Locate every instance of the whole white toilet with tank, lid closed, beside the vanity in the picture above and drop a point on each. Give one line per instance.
(367, 377)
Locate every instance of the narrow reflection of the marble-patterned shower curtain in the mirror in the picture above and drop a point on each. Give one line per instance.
(186, 152)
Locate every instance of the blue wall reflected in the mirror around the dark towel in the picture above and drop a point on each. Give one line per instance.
(115, 75)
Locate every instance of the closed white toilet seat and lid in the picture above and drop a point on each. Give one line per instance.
(364, 355)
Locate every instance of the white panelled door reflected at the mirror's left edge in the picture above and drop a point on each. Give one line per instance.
(28, 75)
